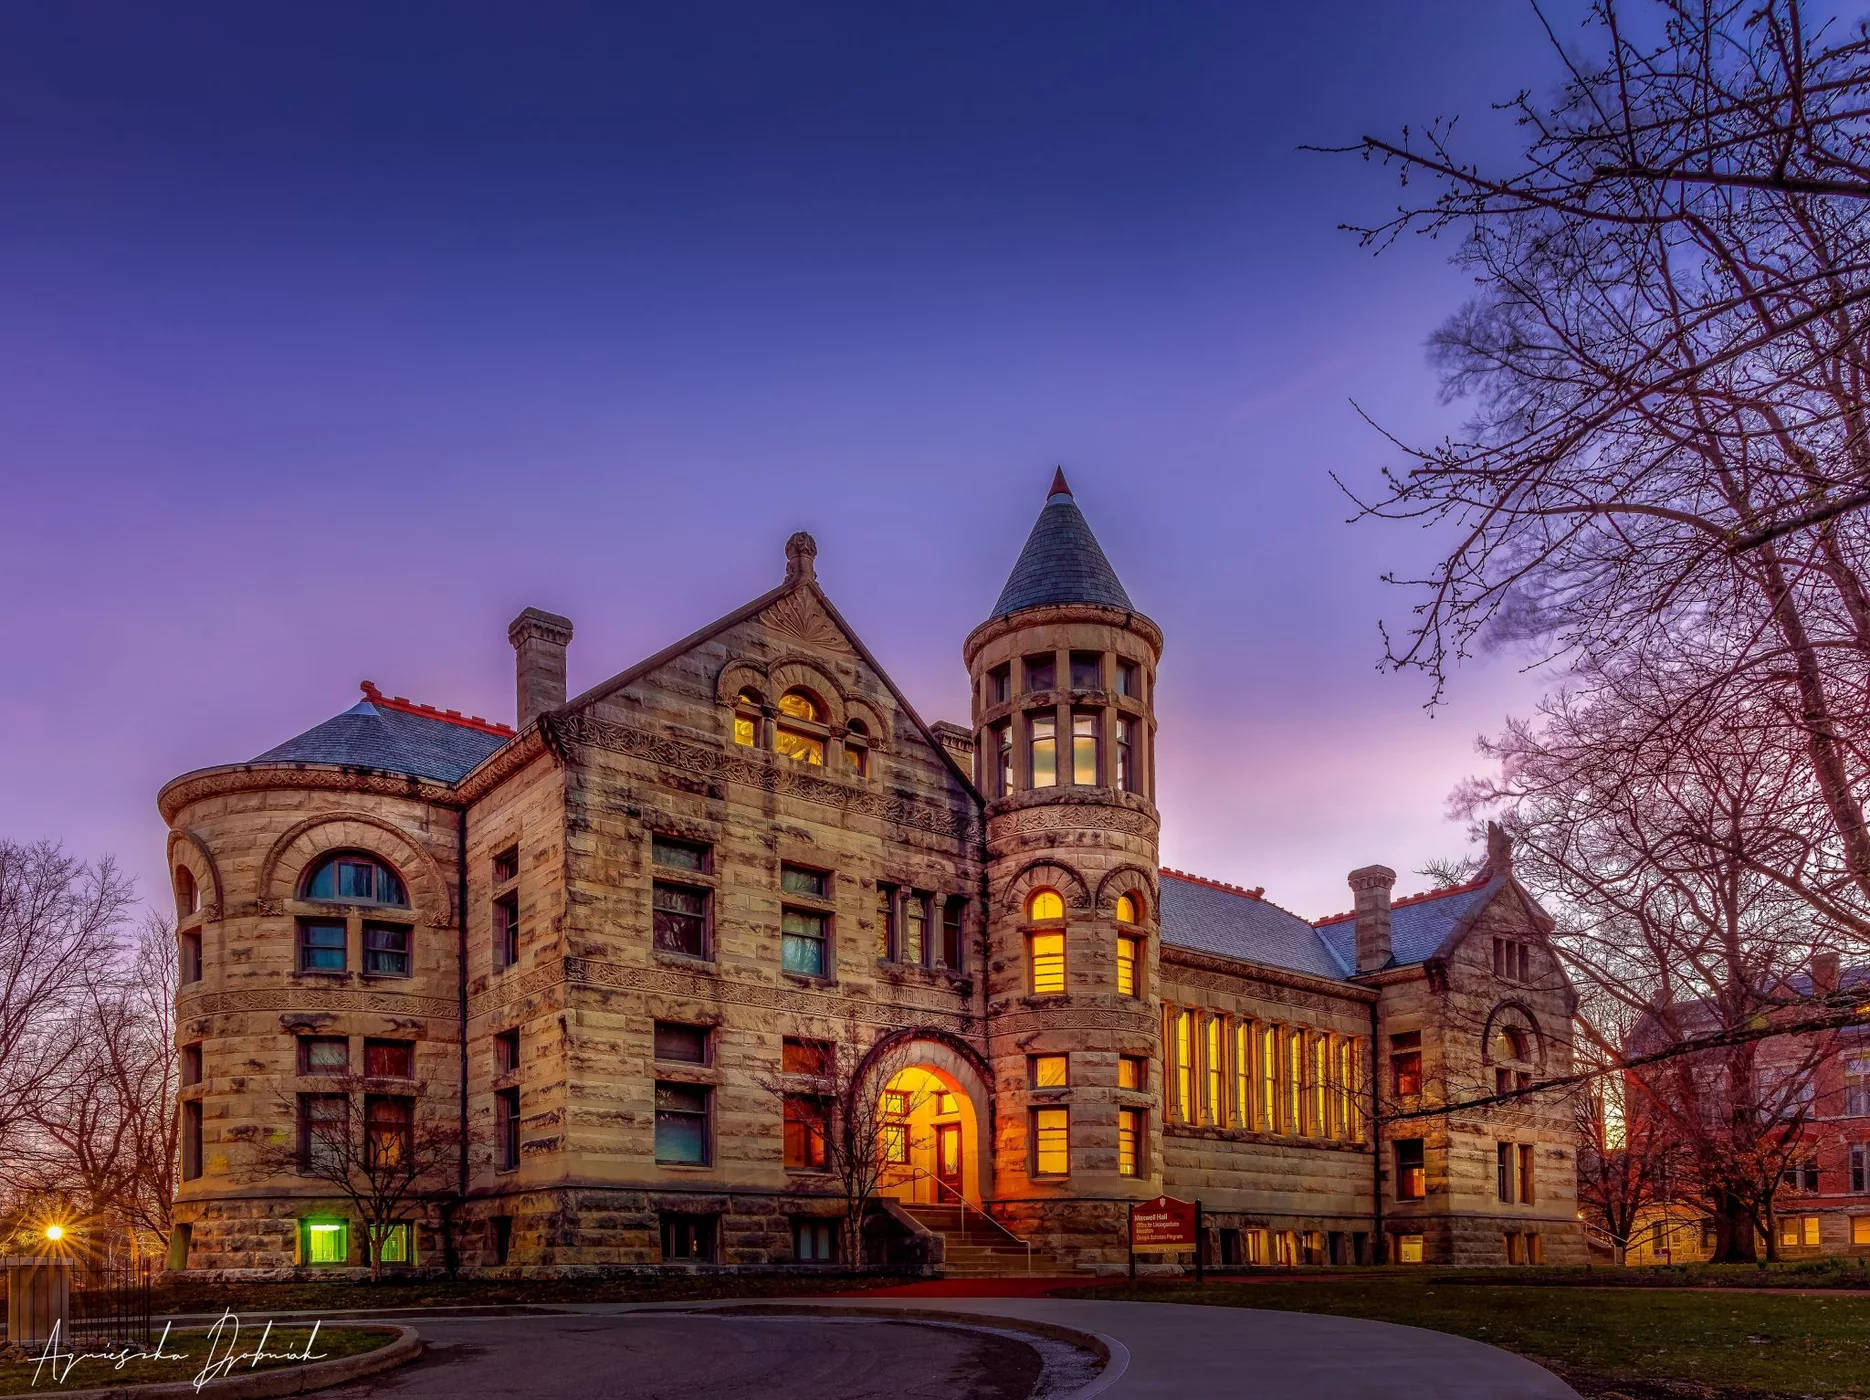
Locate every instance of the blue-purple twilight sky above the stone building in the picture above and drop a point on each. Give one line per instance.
(334, 336)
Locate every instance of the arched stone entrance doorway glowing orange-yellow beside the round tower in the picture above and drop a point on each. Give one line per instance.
(936, 1122)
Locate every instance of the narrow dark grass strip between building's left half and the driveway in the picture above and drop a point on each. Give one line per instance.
(343, 1294)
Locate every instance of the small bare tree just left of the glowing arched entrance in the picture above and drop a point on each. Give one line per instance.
(844, 1119)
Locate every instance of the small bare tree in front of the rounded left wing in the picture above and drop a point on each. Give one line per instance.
(382, 1152)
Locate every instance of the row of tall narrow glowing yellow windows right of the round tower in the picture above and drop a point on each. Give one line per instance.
(1261, 1076)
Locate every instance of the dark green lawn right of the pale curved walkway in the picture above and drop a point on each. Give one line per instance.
(1641, 1343)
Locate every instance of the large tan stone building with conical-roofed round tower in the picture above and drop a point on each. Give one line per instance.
(605, 939)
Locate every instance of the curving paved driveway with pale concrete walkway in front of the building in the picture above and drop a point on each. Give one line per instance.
(674, 1352)
